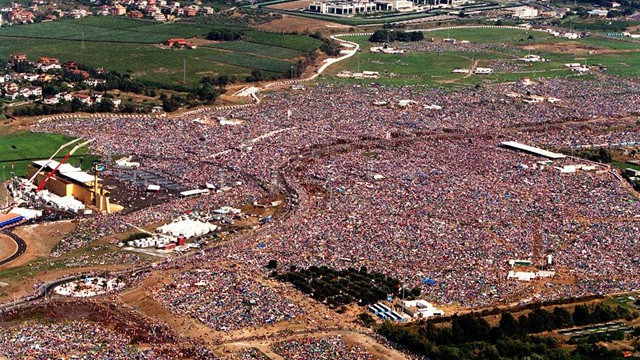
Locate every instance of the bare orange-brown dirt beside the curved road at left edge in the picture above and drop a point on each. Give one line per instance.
(40, 239)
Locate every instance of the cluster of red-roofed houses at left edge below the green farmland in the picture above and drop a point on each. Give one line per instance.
(22, 85)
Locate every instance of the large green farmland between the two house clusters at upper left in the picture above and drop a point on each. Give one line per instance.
(127, 45)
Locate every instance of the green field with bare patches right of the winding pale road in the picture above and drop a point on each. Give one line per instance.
(431, 65)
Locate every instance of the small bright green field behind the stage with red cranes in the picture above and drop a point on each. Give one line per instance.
(20, 147)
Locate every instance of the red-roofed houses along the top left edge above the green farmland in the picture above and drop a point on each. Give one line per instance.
(159, 10)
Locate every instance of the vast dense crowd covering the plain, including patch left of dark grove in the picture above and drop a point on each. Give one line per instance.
(413, 192)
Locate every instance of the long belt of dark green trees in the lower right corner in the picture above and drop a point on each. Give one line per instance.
(471, 337)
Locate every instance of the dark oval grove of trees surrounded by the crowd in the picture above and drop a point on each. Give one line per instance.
(341, 287)
